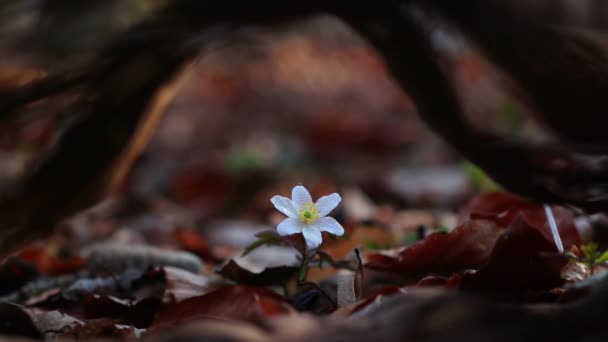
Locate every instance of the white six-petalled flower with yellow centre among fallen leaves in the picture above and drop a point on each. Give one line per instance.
(306, 217)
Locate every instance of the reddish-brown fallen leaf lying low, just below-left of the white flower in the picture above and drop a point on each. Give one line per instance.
(229, 303)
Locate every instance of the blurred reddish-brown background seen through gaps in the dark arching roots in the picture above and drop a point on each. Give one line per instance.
(268, 108)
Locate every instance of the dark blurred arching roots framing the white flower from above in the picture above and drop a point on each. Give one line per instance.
(564, 73)
